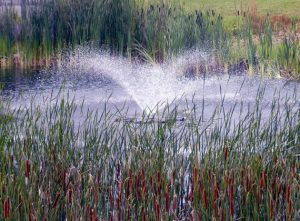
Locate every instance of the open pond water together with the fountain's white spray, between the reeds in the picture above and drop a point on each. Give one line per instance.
(98, 77)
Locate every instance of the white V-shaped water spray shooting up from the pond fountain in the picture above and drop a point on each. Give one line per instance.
(147, 84)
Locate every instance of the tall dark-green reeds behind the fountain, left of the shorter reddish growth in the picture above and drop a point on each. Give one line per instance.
(122, 26)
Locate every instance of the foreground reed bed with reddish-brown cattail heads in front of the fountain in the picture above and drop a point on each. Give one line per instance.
(160, 167)
